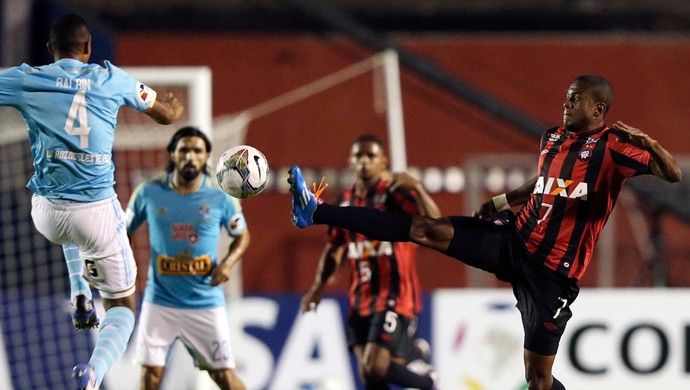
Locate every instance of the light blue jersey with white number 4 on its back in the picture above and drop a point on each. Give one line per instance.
(71, 111)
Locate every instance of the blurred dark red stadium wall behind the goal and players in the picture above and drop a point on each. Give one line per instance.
(531, 72)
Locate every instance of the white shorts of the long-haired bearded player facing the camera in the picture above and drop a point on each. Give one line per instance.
(204, 332)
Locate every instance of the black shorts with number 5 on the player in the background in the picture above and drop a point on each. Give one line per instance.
(387, 329)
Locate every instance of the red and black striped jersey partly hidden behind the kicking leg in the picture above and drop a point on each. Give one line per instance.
(383, 274)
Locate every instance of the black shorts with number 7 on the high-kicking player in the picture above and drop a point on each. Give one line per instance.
(543, 296)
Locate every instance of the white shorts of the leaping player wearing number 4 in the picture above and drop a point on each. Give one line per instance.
(98, 230)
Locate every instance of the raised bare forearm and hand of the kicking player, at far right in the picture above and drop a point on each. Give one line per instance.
(663, 164)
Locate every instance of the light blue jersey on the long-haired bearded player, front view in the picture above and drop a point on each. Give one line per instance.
(184, 231)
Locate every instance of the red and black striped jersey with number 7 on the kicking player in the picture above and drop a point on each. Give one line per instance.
(579, 178)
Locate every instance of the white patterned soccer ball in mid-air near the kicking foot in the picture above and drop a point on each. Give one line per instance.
(242, 171)
